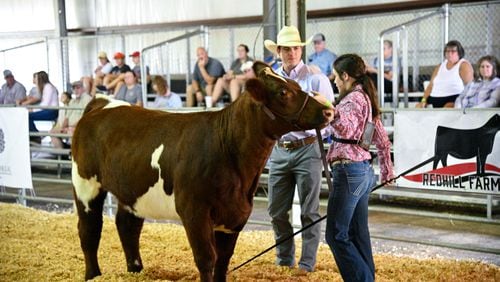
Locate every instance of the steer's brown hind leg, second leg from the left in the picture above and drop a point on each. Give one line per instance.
(129, 229)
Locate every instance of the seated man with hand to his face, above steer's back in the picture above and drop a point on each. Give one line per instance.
(206, 72)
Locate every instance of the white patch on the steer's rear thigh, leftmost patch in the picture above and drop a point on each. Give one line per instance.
(85, 189)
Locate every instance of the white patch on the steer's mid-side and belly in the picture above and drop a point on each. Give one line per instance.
(156, 203)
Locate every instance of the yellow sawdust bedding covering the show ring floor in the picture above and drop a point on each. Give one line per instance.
(41, 246)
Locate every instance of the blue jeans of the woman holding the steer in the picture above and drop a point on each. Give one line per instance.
(347, 231)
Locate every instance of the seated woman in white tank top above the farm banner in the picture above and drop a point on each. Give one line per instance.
(448, 79)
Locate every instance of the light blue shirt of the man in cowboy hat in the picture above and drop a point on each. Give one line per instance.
(308, 81)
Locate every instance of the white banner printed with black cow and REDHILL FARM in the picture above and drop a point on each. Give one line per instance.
(466, 146)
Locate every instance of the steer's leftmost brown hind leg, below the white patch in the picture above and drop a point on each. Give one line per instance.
(89, 230)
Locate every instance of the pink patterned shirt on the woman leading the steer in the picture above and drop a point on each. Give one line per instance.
(348, 123)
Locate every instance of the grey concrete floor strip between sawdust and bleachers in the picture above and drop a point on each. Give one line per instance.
(392, 233)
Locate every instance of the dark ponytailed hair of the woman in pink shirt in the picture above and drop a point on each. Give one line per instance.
(355, 67)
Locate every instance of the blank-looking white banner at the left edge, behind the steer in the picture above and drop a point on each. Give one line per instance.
(15, 167)
